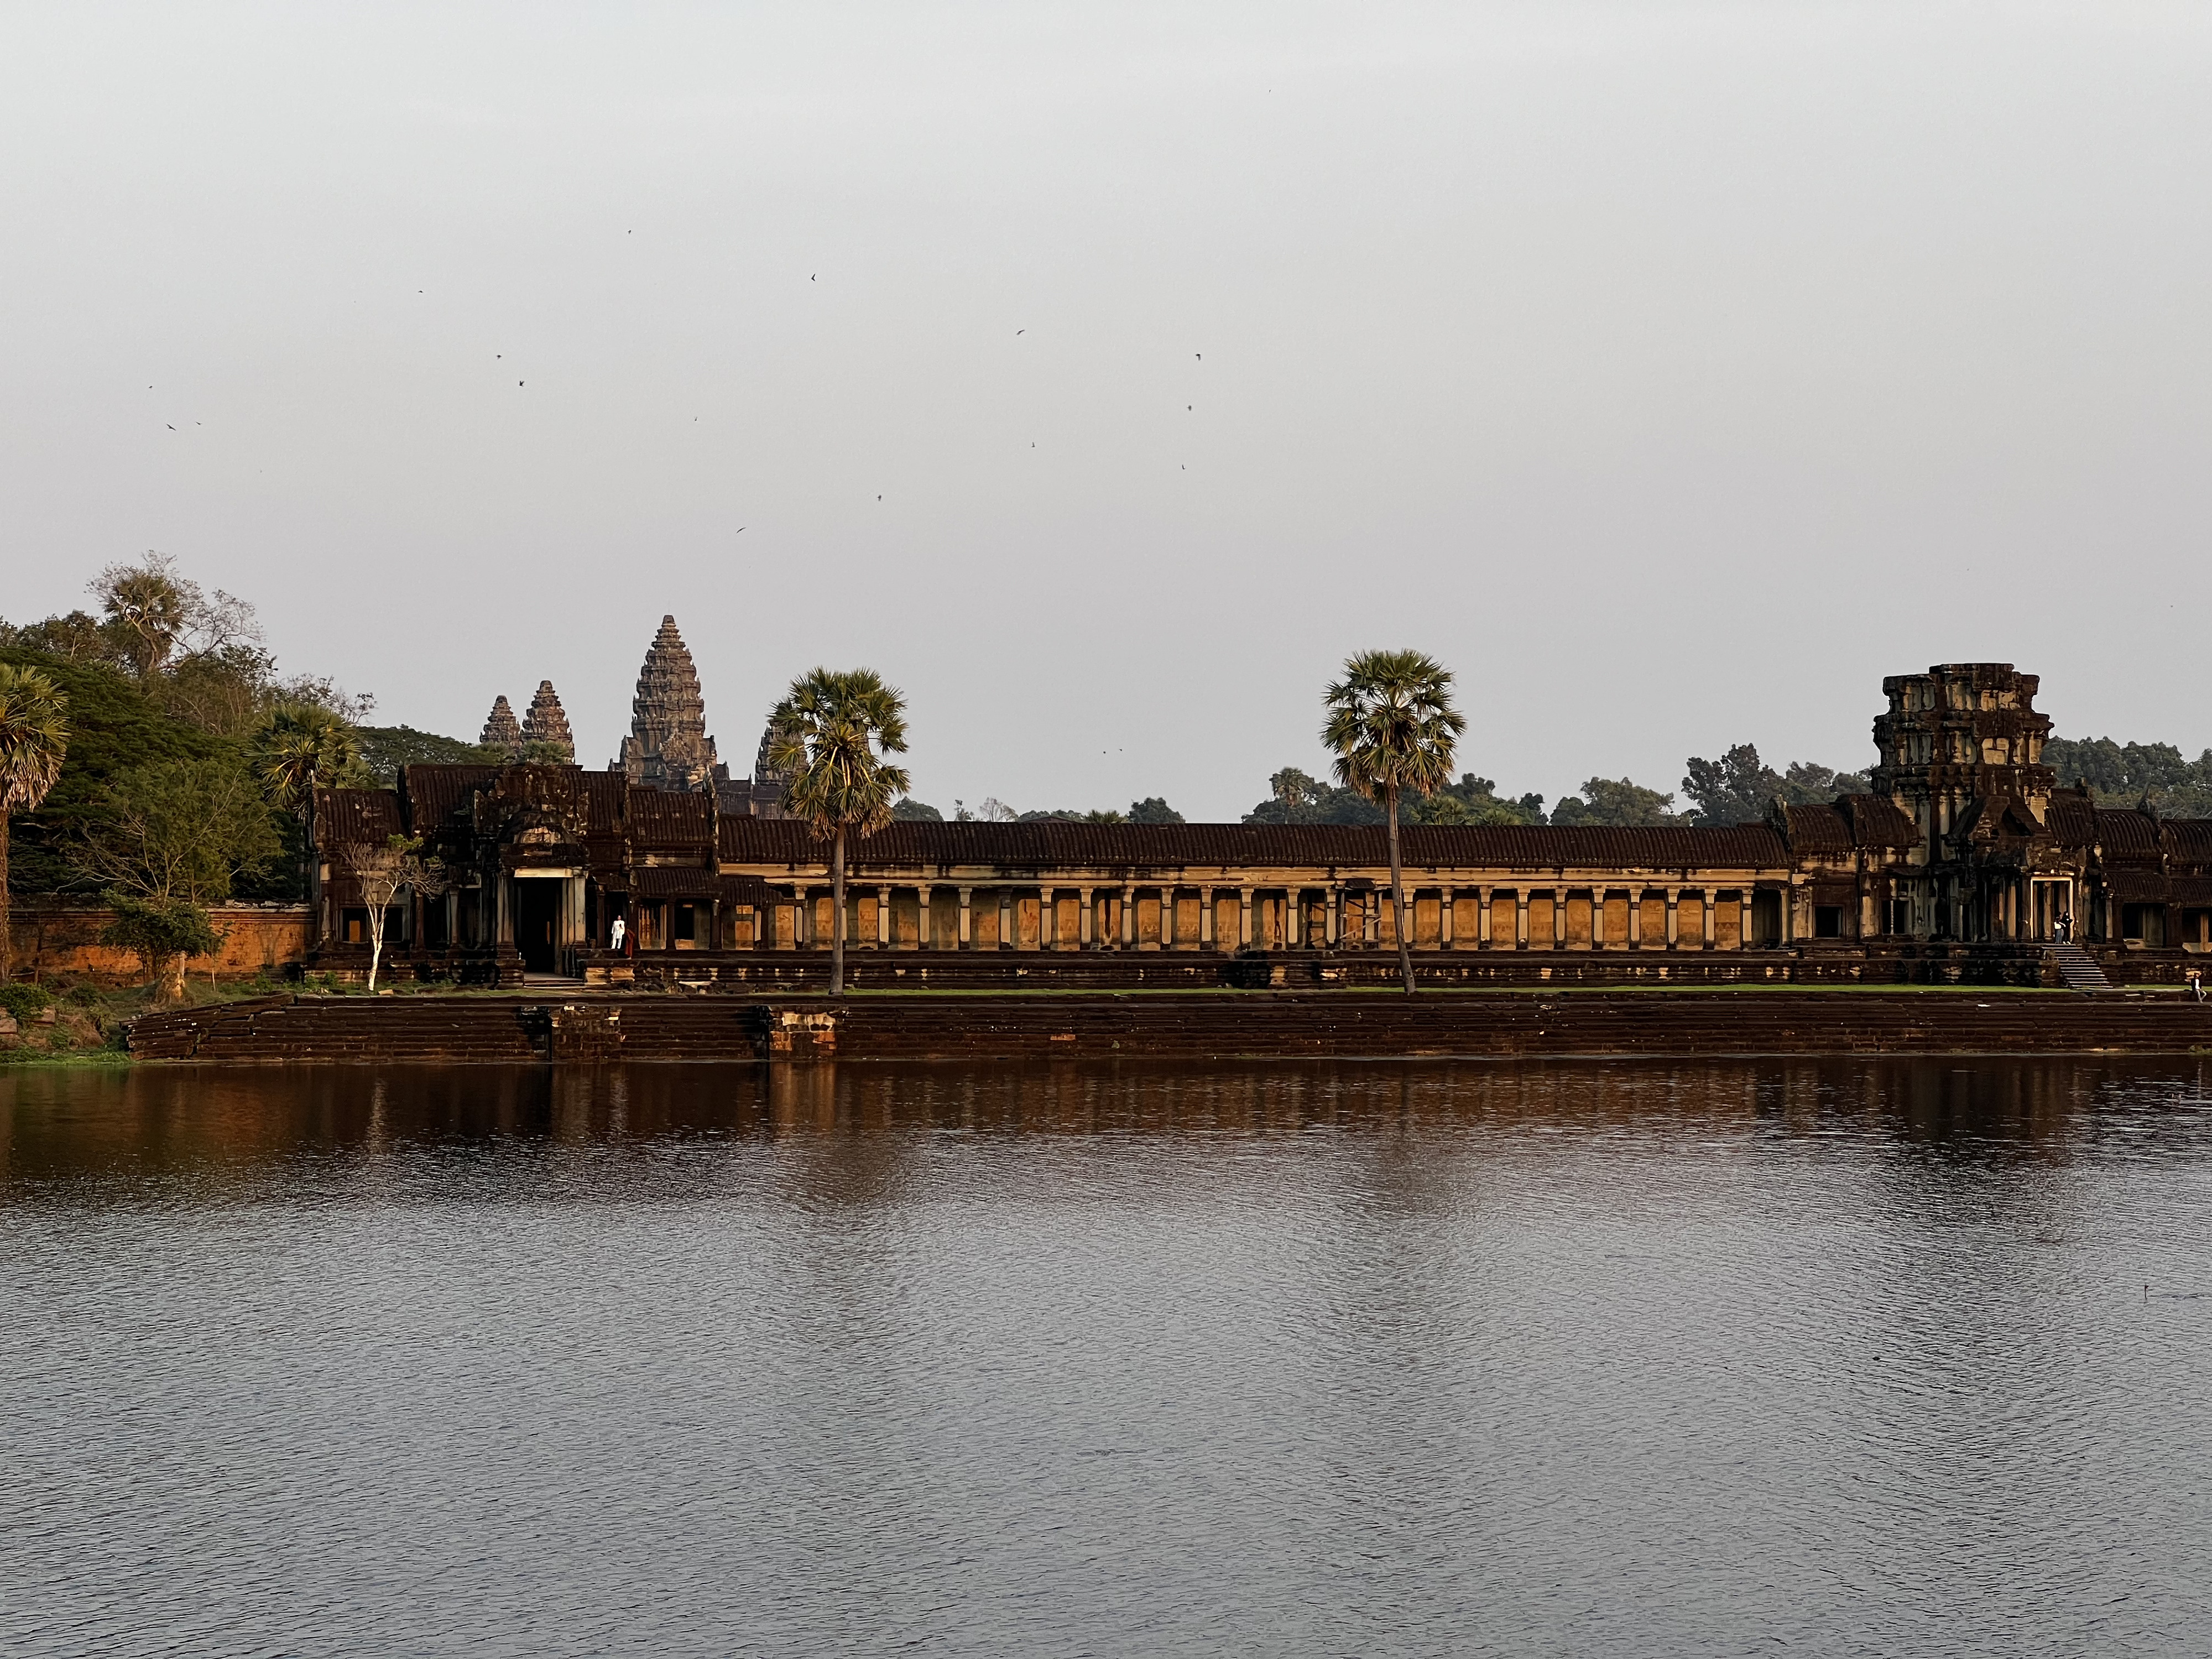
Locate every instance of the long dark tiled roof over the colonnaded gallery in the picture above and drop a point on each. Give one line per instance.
(1136, 846)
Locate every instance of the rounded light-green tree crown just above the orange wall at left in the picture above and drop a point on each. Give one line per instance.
(180, 831)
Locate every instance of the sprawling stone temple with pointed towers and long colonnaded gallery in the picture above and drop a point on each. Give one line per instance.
(1965, 859)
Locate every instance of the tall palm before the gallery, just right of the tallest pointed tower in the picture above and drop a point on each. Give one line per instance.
(828, 740)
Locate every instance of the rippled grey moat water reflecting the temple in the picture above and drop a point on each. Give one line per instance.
(1580, 1359)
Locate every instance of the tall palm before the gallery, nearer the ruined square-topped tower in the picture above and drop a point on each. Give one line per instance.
(1395, 729)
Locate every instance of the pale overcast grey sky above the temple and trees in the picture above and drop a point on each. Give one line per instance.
(1107, 375)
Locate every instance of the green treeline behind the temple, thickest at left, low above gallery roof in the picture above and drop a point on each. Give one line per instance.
(174, 698)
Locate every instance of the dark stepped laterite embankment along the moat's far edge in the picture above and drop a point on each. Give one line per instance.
(1167, 1025)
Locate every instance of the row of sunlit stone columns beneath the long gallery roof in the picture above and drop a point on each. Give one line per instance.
(1328, 915)
